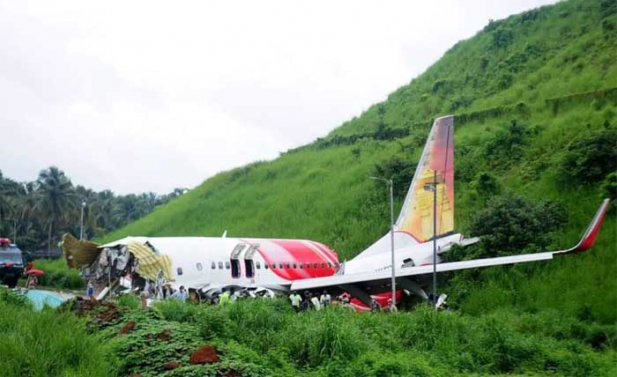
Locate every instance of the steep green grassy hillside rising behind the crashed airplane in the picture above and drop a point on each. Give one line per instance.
(535, 99)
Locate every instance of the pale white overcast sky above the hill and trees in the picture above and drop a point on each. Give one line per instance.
(148, 96)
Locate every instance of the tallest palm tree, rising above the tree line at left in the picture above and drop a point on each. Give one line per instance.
(56, 197)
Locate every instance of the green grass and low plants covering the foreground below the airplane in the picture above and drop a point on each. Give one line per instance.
(267, 338)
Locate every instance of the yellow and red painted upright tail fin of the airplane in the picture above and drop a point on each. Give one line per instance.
(435, 172)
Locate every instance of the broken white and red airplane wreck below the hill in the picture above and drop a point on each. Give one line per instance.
(208, 265)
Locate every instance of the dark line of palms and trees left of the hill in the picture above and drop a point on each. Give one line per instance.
(35, 214)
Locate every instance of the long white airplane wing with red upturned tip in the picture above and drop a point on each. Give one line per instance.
(365, 284)
